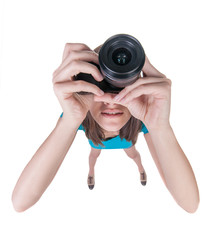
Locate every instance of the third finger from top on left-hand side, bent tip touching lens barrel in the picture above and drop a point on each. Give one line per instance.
(75, 67)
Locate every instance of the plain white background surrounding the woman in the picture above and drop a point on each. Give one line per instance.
(180, 39)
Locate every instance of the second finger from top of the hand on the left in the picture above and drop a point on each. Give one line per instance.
(85, 55)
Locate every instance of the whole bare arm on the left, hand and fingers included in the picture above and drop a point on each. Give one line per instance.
(45, 163)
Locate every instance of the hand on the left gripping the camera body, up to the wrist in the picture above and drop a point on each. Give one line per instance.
(75, 60)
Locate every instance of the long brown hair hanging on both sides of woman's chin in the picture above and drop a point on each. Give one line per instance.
(95, 133)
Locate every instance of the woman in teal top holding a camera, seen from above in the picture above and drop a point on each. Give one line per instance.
(109, 121)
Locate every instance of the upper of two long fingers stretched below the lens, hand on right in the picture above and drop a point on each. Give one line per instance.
(140, 82)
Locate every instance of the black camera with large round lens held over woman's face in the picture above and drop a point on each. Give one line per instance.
(121, 59)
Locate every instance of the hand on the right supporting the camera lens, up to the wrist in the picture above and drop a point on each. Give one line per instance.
(148, 99)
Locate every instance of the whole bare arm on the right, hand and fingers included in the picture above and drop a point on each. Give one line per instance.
(149, 100)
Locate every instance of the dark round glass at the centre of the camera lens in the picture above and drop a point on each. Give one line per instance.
(121, 56)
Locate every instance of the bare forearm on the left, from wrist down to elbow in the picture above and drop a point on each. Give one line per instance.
(43, 166)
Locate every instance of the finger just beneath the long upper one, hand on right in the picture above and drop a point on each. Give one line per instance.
(156, 89)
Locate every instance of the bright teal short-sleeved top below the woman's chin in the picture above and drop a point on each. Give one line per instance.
(115, 142)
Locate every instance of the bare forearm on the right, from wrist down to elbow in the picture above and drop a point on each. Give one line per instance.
(176, 169)
